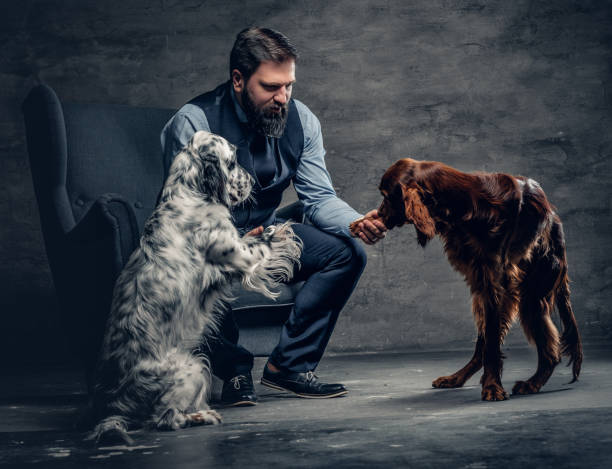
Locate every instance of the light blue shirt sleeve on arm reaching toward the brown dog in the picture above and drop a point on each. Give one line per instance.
(313, 184)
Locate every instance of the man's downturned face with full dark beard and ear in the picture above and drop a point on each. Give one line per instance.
(265, 96)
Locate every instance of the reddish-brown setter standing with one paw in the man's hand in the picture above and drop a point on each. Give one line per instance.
(504, 236)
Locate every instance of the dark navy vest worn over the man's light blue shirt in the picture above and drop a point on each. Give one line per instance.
(223, 120)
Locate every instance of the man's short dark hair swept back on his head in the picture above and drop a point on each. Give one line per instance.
(256, 45)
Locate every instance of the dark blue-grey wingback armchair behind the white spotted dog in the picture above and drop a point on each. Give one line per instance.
(97, 171)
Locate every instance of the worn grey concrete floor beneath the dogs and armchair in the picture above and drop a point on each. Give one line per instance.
(391, 418)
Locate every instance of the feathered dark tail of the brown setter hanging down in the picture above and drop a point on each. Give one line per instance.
(571, 345)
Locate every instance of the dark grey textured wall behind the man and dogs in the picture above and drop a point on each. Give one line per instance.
(521, 87)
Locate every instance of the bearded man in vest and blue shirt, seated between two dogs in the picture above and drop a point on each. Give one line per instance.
(279, 141)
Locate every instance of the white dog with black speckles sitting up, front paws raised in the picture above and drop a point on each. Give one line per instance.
(173, 289)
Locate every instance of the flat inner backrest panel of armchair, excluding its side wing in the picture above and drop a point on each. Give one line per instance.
(114, 149)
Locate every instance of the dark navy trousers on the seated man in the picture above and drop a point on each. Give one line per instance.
(330, 267)
